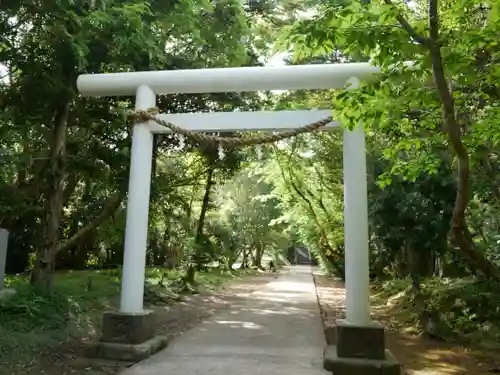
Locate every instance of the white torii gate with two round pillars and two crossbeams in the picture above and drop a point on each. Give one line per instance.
(146, 85)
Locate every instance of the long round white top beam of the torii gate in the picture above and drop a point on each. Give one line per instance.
(190, 81)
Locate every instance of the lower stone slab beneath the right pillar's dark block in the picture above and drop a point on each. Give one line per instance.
(349, 366)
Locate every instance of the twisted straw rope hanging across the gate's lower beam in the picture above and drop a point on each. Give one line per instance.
(227, 142)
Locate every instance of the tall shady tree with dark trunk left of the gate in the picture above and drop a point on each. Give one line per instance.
(67, 152)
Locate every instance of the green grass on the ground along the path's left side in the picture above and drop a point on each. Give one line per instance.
(31, 322)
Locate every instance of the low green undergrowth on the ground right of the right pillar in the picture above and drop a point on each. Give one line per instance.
(465, 310)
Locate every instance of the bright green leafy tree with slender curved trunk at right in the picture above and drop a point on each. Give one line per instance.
(429, 101)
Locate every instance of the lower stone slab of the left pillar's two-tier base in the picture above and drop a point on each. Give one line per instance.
(125, 352)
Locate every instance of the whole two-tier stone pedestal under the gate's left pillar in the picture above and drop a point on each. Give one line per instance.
(126, 337)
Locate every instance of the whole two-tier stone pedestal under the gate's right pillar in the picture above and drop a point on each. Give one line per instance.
(359, 349)
